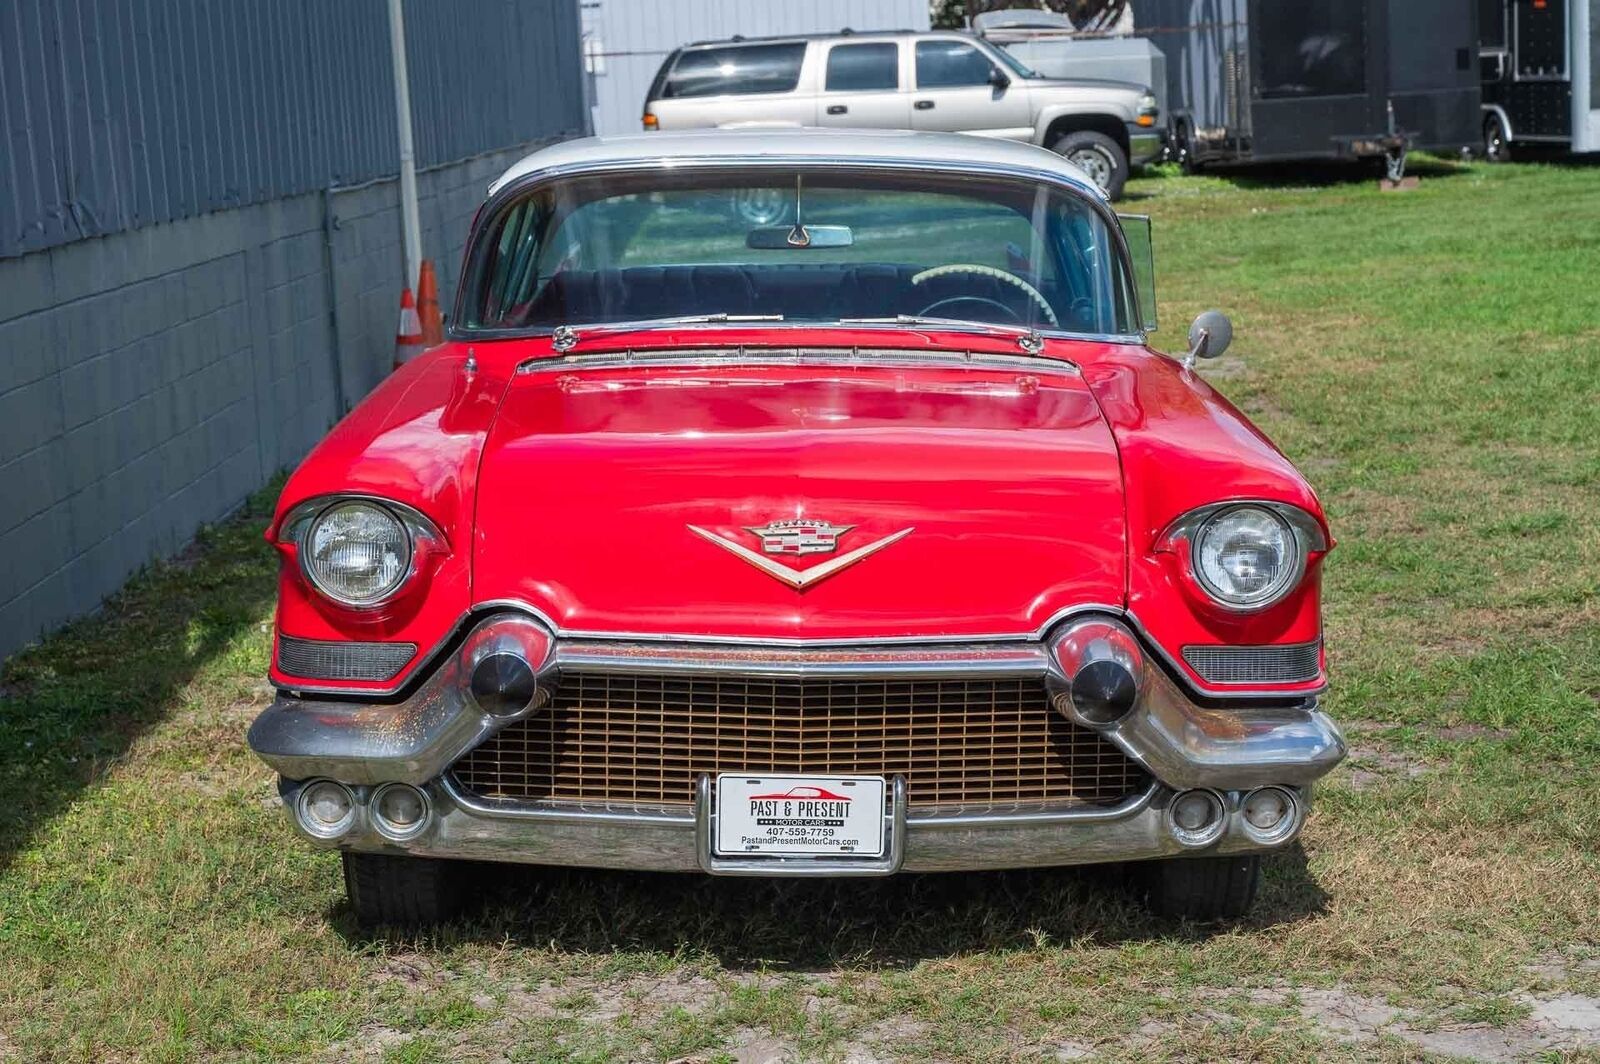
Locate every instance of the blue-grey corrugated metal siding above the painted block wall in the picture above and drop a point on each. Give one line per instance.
(116, 114)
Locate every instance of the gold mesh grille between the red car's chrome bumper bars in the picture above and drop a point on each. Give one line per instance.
(649, 738)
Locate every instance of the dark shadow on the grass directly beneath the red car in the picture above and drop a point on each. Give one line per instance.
(815, 926)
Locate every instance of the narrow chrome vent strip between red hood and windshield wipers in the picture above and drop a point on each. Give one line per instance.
(746, 356)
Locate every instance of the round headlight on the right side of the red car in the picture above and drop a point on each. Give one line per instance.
(1247, 558)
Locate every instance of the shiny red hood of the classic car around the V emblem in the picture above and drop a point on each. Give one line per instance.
(591, 482)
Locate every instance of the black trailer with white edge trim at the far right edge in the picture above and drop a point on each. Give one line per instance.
(1542, 74)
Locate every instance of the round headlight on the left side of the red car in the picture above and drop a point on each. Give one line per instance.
(358, 553)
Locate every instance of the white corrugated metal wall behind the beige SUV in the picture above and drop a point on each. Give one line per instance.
(634, 36)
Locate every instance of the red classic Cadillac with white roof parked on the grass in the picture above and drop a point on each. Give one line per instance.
(882, 497)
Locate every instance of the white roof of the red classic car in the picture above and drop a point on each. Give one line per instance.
(802, 146)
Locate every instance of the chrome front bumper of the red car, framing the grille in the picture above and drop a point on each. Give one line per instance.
(415, 742)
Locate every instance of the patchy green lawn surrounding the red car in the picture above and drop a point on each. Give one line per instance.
(1431, 359)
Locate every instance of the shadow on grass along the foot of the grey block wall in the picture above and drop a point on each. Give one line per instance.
(73, 705)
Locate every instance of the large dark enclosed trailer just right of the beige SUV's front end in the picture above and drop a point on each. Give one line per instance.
(1257, 81)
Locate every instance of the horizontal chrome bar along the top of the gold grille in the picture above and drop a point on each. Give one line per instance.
(988, 662)
